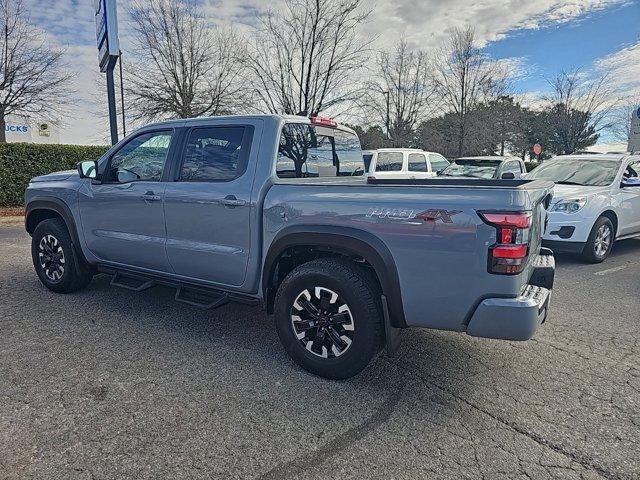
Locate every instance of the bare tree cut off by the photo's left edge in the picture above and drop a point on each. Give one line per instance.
(33, 78)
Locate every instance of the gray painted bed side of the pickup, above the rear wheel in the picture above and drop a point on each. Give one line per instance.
(441, 265)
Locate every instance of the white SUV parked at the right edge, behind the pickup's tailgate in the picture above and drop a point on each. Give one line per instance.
(596, 202)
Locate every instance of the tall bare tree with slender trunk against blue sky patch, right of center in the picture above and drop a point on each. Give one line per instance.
(466, 77)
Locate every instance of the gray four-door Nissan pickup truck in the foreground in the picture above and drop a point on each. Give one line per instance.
(276, 210)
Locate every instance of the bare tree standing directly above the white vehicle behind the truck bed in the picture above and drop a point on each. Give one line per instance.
(404, 90)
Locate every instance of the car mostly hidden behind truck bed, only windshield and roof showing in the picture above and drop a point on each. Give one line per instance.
(496, 167)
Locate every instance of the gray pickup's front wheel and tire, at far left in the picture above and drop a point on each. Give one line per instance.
(55, 259)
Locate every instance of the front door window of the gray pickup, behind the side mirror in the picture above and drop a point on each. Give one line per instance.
(142, 158)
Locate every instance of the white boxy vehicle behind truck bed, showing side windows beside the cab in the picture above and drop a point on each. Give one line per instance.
(403, 163)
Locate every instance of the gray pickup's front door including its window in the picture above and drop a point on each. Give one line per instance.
(122, 217)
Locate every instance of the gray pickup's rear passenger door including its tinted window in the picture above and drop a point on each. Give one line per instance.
(208, 205)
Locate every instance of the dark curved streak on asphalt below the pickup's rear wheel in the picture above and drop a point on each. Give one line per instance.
(314, 458)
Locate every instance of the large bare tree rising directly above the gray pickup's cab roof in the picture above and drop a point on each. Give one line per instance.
(305, 59)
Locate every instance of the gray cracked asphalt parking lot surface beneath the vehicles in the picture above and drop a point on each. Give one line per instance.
(107, 383)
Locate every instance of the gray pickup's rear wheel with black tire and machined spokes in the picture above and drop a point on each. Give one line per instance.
(328, 317)
